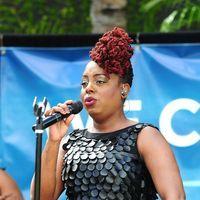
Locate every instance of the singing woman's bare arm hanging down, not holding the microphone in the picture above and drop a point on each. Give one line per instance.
(161, 164)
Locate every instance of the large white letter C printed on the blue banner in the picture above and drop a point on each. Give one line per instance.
(166, 121)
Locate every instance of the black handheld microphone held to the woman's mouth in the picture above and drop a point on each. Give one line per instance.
(74, 108)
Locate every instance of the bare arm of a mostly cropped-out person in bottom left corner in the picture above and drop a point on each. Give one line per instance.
(8, 187)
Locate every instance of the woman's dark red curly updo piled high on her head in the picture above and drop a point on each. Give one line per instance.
(113, 52)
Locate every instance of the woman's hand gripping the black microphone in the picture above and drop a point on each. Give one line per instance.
(59, 129)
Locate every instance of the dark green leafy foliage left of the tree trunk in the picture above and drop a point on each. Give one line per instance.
(44, 16)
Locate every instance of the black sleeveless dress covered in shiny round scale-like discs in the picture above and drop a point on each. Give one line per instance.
(106, 166)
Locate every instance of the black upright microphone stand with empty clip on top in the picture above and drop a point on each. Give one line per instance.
(38, 110)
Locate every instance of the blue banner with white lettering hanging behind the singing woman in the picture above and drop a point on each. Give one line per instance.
(165, 93)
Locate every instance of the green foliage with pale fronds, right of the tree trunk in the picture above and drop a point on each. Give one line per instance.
(163, 15)
